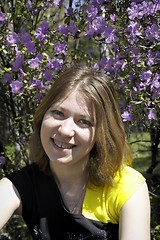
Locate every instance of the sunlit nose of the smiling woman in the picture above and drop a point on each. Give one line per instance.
(67, 127)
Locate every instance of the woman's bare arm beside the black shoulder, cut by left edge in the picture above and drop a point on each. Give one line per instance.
(9, 201)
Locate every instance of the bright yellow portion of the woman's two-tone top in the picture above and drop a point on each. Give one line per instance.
(104, 203)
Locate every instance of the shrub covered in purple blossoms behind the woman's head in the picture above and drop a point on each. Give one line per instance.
(38, 38)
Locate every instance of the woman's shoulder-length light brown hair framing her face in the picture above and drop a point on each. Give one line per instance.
(111, 150)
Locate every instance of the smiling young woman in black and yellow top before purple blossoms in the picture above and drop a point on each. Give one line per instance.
(79, 184)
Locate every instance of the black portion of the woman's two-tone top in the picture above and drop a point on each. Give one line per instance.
(45, 214)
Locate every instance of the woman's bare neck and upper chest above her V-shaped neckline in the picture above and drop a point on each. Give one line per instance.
(72, 184)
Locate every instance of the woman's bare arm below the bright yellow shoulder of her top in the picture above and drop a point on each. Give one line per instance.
(135, 216)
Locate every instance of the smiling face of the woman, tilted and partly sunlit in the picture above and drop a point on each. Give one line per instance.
(68, 130)
